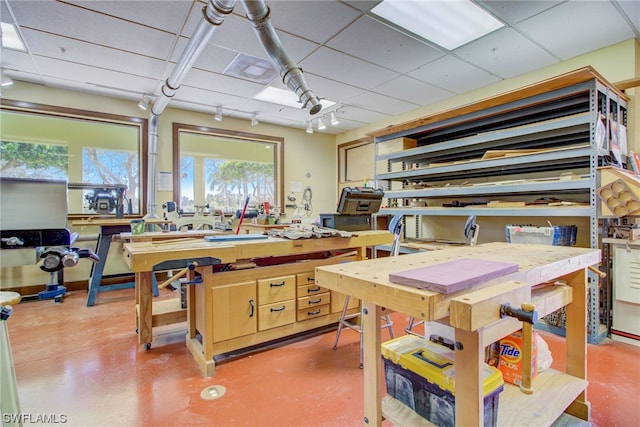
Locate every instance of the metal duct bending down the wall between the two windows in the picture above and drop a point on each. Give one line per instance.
(213, 16)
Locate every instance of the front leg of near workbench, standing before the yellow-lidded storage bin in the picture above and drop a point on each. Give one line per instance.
(469, 379)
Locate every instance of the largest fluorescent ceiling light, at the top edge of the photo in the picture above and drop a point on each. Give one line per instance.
(449, 23)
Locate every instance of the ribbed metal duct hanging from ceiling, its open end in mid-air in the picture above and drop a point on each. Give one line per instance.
(258, 13)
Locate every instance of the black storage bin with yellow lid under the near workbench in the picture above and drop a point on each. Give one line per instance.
(421, 375)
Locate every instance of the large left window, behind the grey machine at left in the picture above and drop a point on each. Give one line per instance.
(90, 149)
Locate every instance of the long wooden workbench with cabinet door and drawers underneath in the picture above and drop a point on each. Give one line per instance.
(213, 306)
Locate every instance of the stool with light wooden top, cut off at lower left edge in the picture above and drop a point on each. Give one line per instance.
(8, 389)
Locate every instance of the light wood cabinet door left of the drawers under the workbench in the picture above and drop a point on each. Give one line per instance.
(234, 311)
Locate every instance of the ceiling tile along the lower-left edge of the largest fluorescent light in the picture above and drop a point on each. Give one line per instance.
(382, 45)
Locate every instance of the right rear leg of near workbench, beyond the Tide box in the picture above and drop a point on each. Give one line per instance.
(576, 340)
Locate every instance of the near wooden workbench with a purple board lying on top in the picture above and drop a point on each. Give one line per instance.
(475, 316)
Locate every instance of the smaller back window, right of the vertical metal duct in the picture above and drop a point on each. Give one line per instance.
(221, 168)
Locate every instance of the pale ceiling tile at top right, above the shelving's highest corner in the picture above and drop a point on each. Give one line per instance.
(577, 27)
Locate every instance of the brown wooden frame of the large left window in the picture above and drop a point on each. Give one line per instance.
(93, 116)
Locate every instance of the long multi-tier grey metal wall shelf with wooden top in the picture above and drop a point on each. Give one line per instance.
(530, 145)
